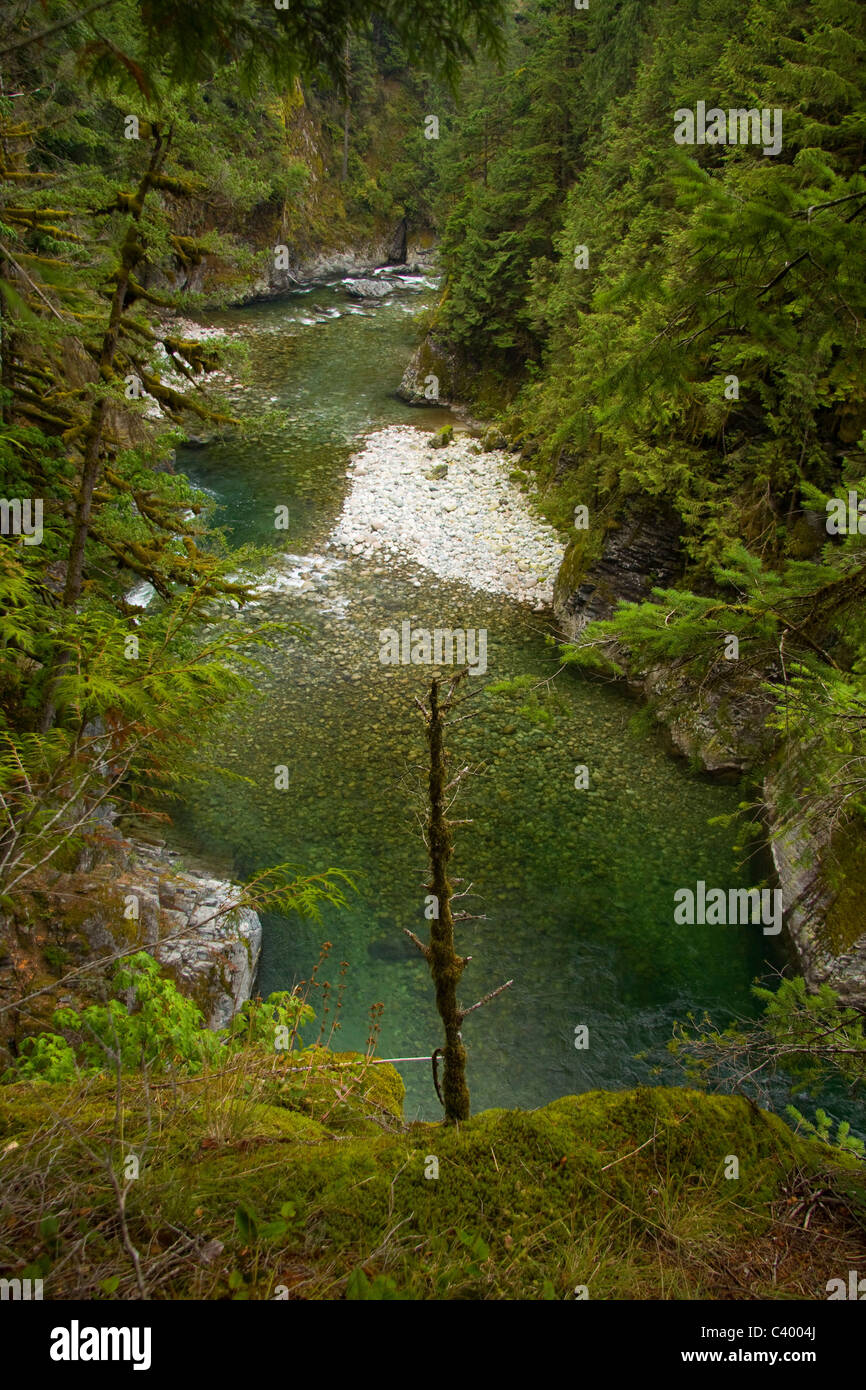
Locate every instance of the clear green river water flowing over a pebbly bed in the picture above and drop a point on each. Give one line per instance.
(576, 886)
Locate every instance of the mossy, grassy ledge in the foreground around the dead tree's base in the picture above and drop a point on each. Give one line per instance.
(255, 1188)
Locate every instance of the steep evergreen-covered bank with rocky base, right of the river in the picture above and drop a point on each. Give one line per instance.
(669, 325)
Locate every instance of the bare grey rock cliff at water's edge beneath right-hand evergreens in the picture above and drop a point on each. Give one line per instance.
(722, 725)
